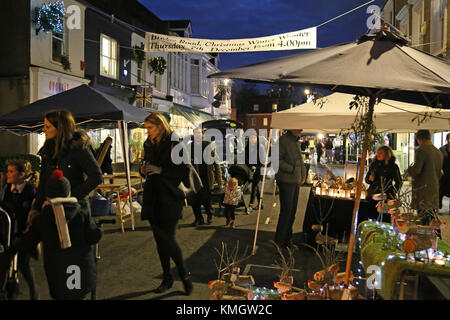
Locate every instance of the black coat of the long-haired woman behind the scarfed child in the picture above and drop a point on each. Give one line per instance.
(77, 163)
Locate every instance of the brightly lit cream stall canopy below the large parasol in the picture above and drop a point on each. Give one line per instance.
(335, 116)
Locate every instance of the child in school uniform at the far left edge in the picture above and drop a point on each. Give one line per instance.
(19, 195)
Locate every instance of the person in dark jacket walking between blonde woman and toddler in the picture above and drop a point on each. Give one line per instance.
(210, 174)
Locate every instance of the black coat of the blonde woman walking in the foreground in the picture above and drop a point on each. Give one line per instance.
(161, 205)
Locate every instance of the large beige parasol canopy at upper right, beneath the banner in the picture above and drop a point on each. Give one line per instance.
(380, 62)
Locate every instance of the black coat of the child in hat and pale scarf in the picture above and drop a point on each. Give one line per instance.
(57, 262)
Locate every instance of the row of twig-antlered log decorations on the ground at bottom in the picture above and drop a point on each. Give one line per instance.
(326, 284)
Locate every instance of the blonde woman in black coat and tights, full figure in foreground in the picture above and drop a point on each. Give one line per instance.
(162, 204)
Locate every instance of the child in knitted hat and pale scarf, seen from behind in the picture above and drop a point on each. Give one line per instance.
(71, 270)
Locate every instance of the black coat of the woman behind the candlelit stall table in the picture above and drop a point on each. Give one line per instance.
(389, 171)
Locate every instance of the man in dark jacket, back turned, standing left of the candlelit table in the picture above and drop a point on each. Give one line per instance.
(290, 176)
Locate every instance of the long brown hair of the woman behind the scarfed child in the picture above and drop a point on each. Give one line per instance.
(65, 126)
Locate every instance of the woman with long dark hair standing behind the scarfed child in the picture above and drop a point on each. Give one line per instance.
(66, 148)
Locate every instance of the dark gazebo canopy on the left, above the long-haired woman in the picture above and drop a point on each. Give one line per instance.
(91, 108)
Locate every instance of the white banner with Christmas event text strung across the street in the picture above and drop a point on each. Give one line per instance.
(301, 39)
